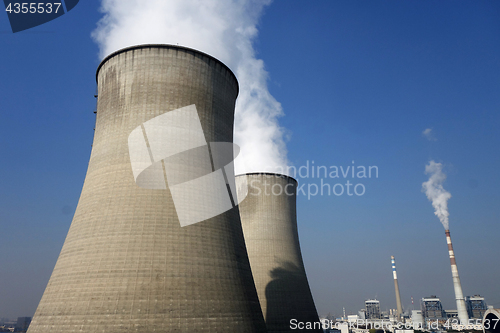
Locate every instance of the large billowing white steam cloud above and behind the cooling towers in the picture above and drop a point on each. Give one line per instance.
(224, 29)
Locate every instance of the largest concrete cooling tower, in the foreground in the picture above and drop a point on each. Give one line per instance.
(127, 265)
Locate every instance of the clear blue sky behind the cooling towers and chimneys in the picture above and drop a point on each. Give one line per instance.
(358, 81)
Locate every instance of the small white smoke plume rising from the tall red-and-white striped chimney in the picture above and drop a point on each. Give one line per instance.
(435, 192)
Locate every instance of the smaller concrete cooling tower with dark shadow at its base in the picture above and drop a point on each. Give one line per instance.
(268, 216)
